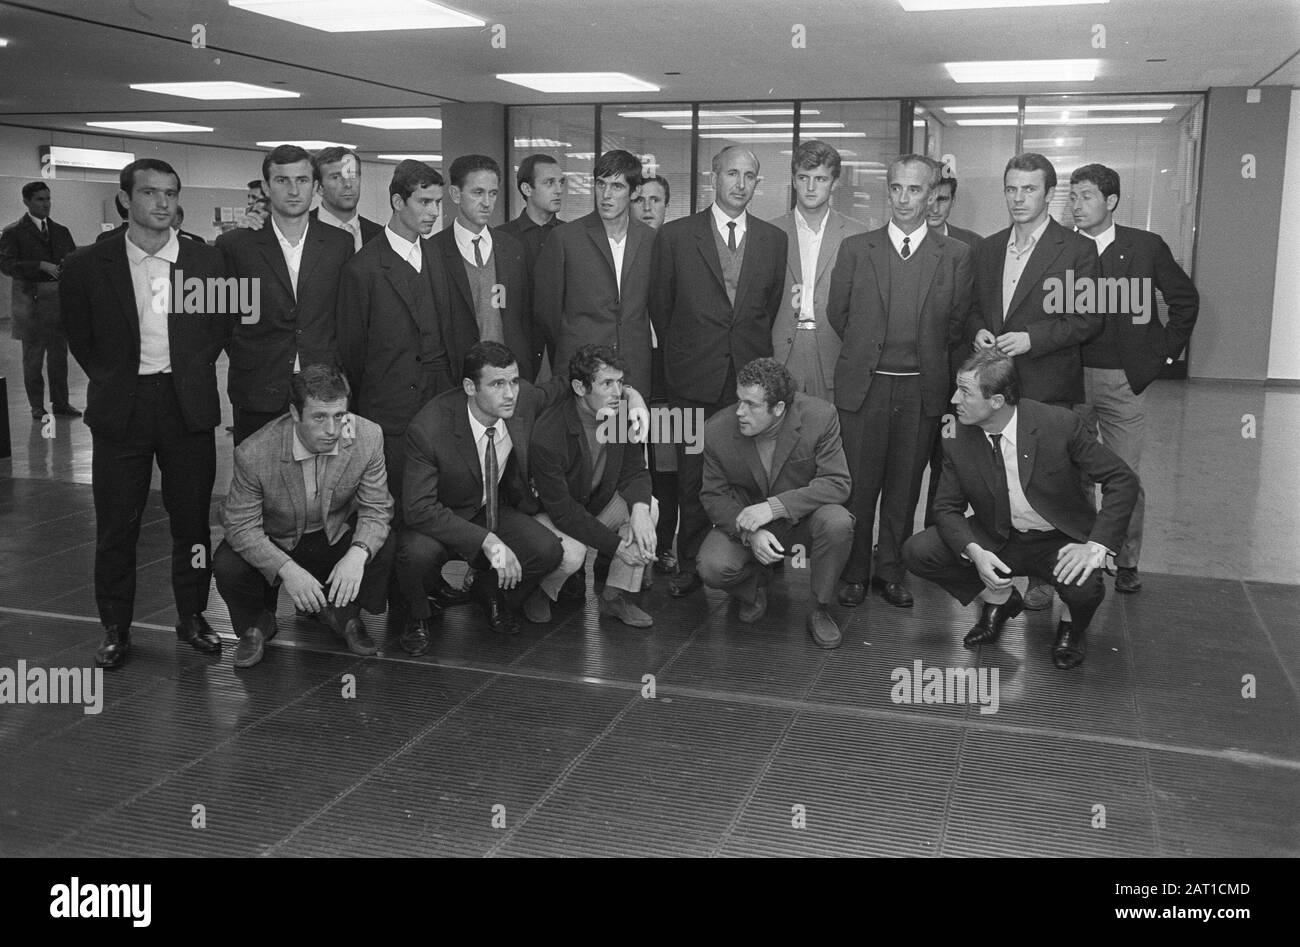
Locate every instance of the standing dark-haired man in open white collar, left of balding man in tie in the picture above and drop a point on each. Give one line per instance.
(580, 296)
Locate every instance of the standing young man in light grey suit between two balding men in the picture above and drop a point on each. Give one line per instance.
(803, 340)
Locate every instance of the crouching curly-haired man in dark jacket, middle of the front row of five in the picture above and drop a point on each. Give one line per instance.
(595, 486)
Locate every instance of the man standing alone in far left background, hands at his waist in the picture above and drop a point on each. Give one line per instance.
(32, 252)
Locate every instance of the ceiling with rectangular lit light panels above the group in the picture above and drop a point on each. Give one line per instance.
(71, 62)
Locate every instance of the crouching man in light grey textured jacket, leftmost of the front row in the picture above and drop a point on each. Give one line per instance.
(309, 508)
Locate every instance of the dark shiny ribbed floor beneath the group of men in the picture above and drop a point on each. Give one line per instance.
(753, 743)
